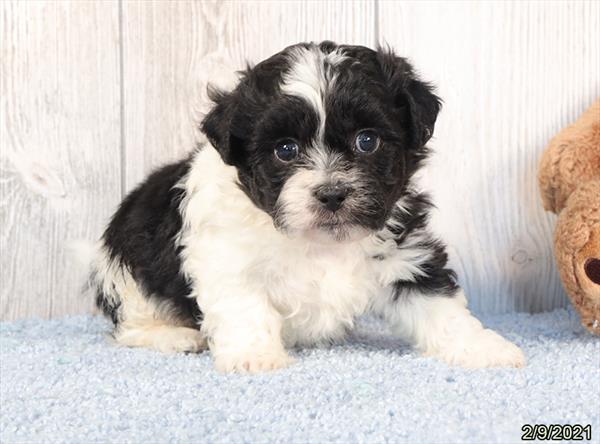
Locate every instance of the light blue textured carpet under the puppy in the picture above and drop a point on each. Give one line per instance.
(62, 381)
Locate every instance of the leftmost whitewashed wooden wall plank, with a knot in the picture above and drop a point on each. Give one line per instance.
(60, 148)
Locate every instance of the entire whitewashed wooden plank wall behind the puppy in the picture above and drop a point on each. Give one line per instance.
(96, 94)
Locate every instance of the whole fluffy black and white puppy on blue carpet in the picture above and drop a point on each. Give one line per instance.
(298, 215)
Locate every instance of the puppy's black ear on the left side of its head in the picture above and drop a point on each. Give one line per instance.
(217, 125)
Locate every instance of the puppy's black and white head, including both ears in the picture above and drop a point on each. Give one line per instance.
(324, 137)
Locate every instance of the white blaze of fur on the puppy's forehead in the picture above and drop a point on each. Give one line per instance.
(310, 77)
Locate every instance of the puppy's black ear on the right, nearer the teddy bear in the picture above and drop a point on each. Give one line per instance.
(412, 93)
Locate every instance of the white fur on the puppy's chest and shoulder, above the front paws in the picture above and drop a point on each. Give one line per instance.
(230, 248)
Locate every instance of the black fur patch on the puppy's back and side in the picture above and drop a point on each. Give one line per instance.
(141, 235)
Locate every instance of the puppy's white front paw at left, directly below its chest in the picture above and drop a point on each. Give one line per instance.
(253, 362)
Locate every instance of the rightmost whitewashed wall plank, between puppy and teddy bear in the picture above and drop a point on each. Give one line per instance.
(512, 74)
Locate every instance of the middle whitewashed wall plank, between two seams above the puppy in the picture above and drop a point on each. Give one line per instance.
(173, 49)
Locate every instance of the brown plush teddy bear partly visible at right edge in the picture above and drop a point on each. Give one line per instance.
(570, 184)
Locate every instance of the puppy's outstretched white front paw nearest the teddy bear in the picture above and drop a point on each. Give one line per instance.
(484, 348)
